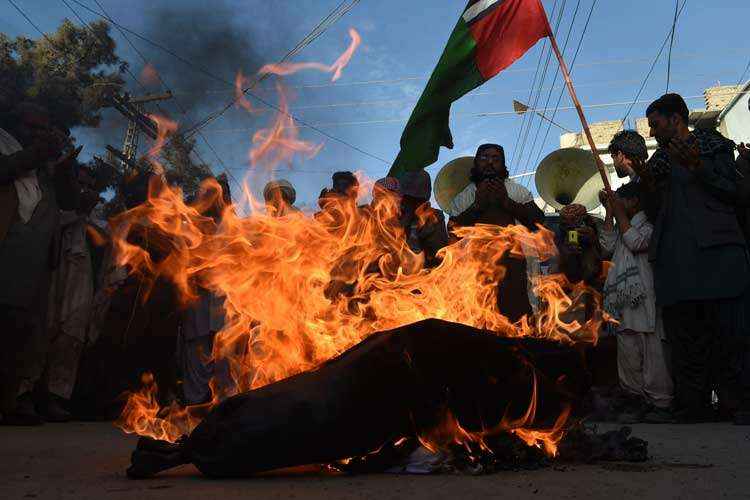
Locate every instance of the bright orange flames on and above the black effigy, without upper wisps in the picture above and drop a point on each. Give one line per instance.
(299, 291)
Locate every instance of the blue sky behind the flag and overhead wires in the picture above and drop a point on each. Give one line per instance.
(402, 40)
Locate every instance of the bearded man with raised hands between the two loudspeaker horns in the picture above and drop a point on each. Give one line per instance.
(492, 198)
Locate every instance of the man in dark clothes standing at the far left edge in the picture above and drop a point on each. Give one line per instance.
(36, 181)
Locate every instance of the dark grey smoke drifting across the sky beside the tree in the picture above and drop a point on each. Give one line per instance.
(209, 36)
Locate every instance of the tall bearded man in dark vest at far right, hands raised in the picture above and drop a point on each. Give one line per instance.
(699, 256)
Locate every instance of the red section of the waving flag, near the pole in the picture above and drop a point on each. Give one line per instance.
(507, 33)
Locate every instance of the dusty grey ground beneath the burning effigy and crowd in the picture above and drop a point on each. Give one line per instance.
(88, 461)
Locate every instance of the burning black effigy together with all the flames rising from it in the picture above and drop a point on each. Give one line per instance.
(339, 341)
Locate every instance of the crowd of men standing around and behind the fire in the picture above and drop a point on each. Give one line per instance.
(676, 235)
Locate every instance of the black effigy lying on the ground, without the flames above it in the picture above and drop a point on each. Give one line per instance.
(436, 382)
